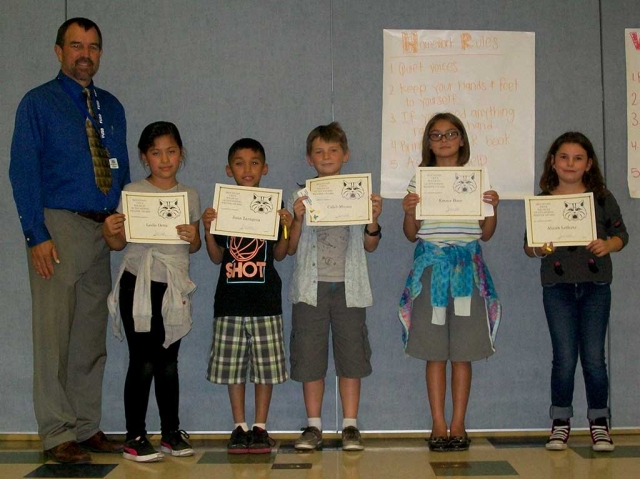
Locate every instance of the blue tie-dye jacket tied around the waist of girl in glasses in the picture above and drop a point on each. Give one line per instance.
(456, 269)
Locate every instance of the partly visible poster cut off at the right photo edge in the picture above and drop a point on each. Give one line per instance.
(632, 47)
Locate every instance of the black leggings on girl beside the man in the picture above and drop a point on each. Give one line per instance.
(149, 360)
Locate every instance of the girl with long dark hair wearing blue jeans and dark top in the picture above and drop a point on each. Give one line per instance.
(576, 290)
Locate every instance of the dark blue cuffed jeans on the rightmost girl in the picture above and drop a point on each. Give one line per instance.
(578, 315)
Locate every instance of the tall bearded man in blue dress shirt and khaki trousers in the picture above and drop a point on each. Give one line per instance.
(61, 211)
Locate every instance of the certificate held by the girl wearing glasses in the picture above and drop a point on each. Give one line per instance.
(450, 193)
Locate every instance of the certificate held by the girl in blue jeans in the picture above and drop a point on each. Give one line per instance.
(564, 220)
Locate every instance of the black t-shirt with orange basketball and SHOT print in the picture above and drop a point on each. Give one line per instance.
(249, 284)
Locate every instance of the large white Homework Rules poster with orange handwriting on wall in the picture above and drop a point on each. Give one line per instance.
(485, 78)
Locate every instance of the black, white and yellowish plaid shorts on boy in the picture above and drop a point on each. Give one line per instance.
(240, 343)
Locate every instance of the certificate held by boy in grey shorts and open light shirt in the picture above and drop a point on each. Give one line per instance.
(338, 200)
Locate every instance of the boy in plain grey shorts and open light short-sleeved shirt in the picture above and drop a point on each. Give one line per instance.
(330, 290)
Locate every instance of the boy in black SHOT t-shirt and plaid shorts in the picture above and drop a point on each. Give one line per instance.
(247, 327)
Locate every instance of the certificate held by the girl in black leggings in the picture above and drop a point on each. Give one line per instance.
(153, 217)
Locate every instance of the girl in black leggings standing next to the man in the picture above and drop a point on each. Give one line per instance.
(151, 299)
